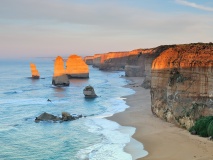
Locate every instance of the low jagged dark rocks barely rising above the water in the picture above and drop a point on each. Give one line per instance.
(49, 117)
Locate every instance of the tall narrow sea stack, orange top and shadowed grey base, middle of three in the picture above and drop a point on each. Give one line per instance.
(60, 78)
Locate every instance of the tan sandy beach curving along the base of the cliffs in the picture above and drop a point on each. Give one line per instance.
(162, 140)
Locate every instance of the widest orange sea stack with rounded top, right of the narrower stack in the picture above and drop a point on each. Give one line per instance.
(76, 67)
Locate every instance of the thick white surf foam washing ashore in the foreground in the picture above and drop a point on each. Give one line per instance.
(114, 139)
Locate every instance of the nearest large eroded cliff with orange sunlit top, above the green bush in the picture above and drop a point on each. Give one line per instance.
(182, 83)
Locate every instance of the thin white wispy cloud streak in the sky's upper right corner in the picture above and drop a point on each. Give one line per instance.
(194, 5)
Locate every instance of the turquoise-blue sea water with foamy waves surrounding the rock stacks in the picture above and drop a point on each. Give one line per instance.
(93, 137)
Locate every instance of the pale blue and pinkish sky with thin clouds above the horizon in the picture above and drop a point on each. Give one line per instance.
(48, 28)
